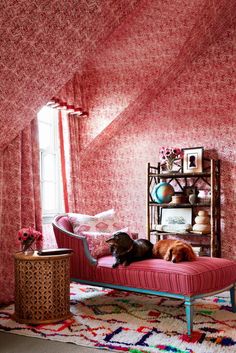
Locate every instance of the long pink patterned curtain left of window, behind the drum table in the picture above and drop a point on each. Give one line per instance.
(20, 200)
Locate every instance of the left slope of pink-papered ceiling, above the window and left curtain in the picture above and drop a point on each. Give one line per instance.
(42, 44)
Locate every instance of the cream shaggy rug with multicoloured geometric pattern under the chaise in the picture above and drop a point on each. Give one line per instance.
(136, 323)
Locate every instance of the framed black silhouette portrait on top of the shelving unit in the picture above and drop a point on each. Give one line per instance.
(193, 160)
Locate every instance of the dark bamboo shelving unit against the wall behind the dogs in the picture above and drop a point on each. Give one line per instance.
(209, 179)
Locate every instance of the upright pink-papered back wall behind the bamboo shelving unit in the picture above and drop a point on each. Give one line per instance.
(198, 109)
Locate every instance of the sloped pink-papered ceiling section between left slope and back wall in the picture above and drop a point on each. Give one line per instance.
(143, 57)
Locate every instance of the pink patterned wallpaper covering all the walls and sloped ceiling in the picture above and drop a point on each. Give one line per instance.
(149, 68)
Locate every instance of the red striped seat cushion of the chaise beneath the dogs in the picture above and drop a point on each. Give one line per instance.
(204, 275)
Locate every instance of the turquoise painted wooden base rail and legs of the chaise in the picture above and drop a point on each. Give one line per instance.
(188, 301)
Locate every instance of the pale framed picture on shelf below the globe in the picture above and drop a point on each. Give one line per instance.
(176, 216)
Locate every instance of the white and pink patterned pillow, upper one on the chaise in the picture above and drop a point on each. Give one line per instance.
(105, 222)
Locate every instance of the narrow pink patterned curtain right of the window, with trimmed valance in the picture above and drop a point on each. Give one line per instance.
(71, 103)
